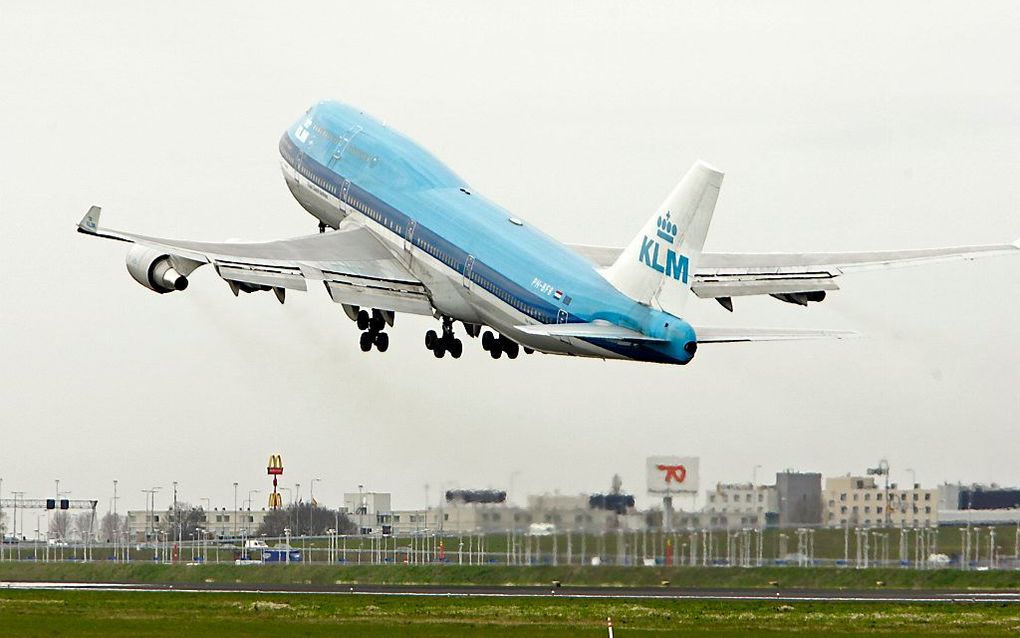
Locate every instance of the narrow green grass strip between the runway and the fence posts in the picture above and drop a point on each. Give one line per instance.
(789, 577)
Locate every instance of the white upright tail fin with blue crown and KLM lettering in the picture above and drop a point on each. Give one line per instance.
(656, 269)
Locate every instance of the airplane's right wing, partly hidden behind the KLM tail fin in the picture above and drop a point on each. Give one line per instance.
(798, 278)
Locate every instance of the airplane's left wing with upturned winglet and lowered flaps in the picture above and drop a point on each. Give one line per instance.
(355, 268)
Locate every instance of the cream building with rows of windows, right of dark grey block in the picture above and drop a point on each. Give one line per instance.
(860, 502)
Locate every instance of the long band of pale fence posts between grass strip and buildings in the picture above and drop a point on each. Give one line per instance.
(861, 549)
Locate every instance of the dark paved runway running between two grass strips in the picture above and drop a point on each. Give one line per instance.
(485, 592)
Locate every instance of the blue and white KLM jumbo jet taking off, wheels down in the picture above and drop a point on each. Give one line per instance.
(399, 232)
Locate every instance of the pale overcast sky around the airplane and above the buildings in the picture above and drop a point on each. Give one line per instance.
(840, 126)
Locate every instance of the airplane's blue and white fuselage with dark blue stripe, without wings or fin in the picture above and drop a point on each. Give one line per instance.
(401, 190)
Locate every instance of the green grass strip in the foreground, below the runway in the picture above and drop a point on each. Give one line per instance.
(171, 614)
